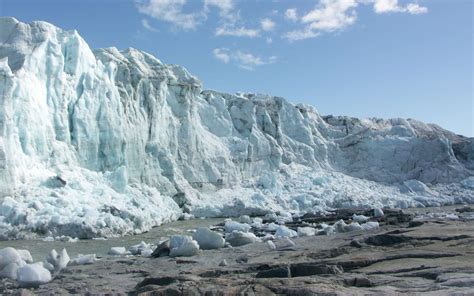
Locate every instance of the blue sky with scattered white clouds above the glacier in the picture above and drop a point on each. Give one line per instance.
(363, 58)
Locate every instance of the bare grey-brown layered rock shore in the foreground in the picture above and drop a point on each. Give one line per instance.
(413, 251)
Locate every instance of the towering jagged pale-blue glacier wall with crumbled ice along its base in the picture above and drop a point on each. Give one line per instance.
(110, 142)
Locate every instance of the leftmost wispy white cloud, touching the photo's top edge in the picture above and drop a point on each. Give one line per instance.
(171, 11)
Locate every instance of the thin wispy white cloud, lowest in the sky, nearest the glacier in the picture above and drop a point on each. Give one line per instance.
(242, 59)
